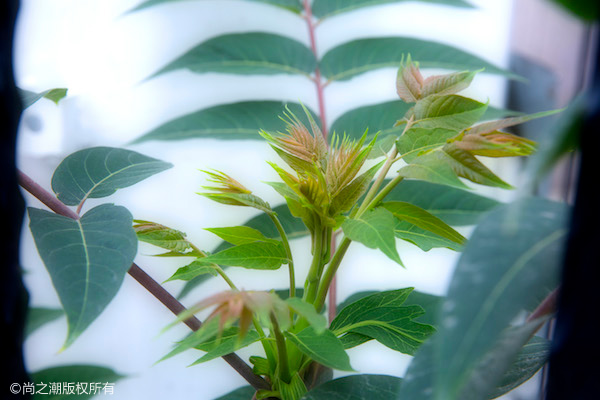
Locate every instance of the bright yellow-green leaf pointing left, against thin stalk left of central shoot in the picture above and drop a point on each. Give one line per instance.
(255, 255)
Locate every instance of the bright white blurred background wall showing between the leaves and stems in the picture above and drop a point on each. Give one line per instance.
(103, 57)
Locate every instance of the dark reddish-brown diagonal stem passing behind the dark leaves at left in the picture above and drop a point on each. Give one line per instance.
(146, 281)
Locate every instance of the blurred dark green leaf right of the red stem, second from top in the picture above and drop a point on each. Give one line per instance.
(359, 56)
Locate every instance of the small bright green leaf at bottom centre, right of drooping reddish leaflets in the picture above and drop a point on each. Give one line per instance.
(325, 348)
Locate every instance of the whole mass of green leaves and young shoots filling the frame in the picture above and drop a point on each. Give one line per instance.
(463, 344)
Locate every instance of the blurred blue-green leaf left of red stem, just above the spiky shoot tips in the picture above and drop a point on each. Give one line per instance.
(227, 121)
